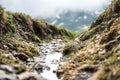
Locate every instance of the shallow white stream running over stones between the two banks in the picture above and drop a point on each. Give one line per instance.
(50, 58)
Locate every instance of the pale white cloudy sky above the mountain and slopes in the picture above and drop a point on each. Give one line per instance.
(50, 8)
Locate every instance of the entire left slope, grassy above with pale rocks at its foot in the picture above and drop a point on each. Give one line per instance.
(19, 34)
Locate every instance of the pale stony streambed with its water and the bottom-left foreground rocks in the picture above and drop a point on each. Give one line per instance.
(38, 68)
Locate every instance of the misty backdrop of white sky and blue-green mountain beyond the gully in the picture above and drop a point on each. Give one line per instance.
(76, 15)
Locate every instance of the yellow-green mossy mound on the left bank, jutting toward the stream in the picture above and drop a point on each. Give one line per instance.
(23, 47)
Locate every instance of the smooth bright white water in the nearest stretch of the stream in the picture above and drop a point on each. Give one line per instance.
(49, 74)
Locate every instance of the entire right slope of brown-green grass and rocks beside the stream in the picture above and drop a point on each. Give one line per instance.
(96, 52)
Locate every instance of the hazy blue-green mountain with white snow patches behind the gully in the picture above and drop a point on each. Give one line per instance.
(75, 21)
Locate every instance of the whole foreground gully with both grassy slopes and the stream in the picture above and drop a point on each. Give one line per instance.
(32, 49)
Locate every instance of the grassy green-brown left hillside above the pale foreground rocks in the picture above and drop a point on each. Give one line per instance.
(19, 32)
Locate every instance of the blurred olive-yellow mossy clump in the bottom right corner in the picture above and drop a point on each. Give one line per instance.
(110, 70)
